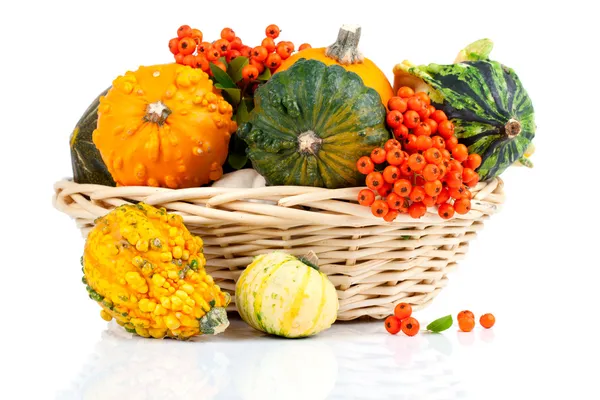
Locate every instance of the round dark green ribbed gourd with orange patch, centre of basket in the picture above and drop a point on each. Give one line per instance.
(311, 123)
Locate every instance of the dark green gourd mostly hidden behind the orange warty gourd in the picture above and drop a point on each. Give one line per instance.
(86, 161)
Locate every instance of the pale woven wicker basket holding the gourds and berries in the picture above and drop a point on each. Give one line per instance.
(373, 264)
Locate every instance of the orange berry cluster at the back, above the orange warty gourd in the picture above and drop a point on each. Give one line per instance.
(189, 48)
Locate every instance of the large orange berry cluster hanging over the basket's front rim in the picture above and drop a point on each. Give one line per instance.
(422, 167)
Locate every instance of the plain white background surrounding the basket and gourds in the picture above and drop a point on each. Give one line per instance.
(535, 265)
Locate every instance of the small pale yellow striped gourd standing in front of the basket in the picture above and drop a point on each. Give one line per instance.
(282, 295)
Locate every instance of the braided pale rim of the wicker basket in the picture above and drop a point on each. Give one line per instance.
(268, 206)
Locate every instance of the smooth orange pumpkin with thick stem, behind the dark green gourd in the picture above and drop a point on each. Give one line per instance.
(345, 52)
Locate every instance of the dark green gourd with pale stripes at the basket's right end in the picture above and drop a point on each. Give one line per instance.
(492, 113)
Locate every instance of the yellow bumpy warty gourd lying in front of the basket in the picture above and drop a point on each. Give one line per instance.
(146, 270)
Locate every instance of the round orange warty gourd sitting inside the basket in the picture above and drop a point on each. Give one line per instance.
(164, 125)
